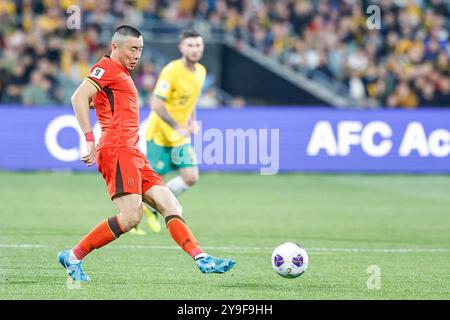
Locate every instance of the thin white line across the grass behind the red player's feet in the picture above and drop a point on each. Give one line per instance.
(251, 249)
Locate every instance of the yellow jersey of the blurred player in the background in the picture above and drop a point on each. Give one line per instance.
(180, 88)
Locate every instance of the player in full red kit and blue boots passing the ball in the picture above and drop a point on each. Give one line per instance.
(129, 178)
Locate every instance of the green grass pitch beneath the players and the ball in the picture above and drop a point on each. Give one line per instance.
(399, 223)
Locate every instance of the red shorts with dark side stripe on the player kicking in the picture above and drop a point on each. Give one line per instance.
(125, 171)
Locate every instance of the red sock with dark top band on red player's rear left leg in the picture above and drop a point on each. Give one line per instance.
(105, 232)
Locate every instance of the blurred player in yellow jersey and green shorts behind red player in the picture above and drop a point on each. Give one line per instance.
(172, 120)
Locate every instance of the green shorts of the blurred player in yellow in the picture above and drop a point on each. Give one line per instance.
(165, 159)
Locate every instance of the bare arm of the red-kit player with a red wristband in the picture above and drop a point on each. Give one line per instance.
(80, 103)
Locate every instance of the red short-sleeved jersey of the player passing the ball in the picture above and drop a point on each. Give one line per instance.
(116, 104)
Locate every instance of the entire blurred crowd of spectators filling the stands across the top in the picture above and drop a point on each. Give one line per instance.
(404, 64)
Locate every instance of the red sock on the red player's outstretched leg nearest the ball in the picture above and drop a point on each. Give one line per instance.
(182, 235)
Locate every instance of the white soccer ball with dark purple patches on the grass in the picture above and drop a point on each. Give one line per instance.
(289, 260)
